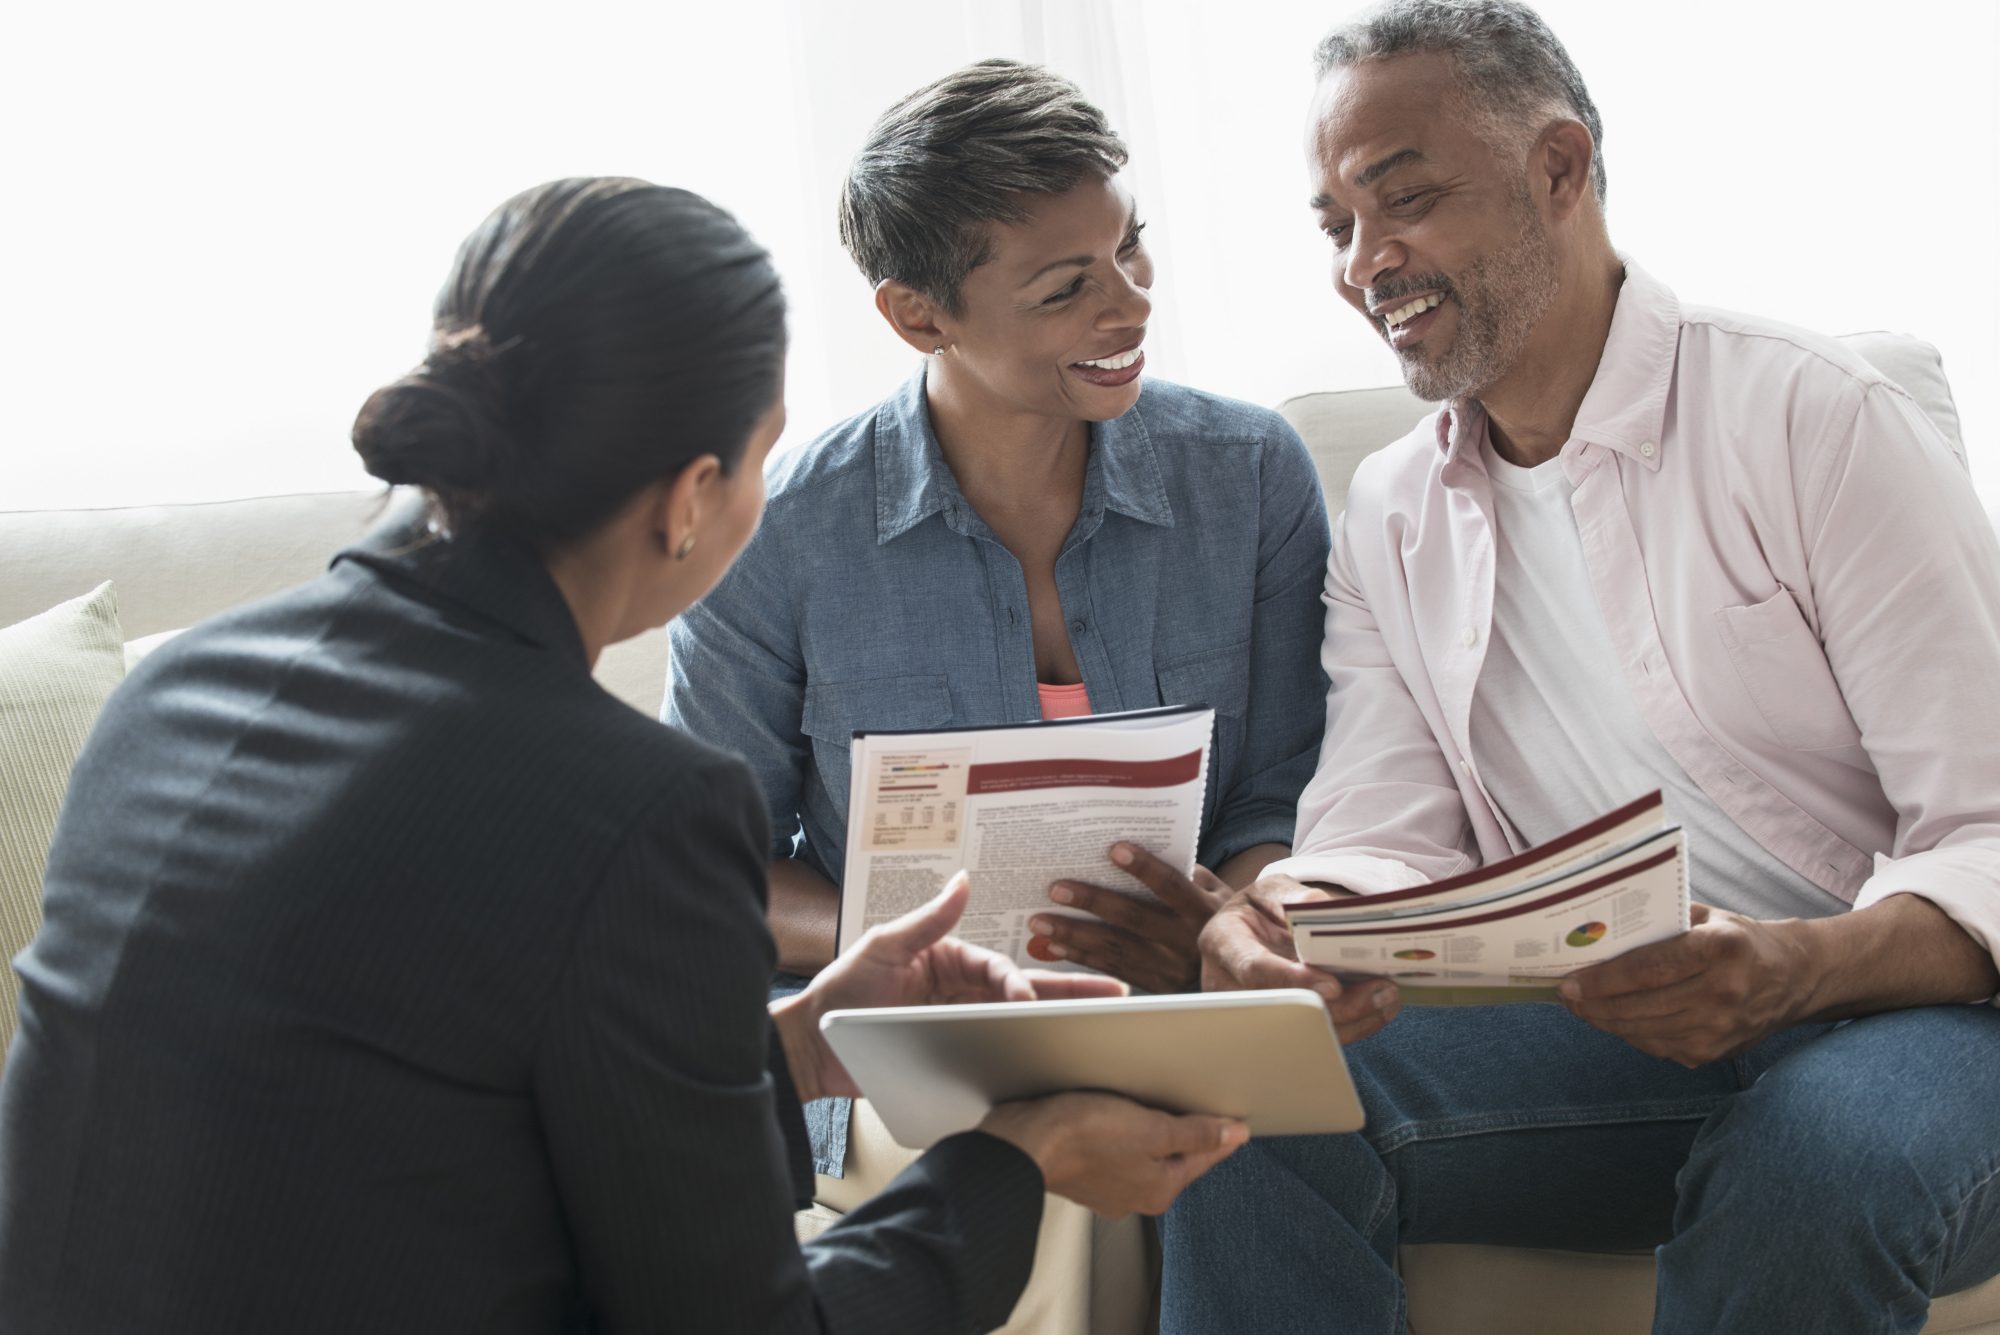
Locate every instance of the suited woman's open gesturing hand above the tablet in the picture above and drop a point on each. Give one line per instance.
(911, 962)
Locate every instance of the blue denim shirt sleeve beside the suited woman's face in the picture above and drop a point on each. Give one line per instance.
(737, 678)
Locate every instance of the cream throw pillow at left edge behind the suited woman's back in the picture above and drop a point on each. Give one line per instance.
(55, 674)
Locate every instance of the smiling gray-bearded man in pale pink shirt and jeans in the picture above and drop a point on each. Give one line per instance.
(1641, 547)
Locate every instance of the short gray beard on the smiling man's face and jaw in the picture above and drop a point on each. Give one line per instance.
(1501, 301)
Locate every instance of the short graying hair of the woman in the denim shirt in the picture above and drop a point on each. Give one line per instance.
(959, 155)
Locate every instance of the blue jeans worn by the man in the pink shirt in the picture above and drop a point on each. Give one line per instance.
(1831, 1180)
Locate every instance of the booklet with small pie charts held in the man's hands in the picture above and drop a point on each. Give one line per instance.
(1513, 930)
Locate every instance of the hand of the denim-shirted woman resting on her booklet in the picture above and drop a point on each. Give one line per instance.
(1153, 946)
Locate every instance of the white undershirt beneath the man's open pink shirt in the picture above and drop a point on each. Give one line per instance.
(1555, 730)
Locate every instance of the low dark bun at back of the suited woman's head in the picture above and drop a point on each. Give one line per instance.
(443, 427)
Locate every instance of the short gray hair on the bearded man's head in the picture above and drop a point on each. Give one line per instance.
(1517, 73)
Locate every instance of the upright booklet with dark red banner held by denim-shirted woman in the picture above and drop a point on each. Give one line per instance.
(1019, 806)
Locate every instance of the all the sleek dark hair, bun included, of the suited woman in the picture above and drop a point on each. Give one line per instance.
(593, 339)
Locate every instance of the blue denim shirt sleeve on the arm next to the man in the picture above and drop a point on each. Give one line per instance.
(1287, 684)
